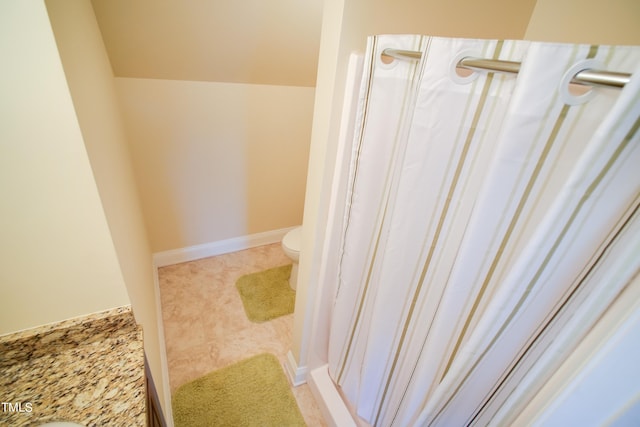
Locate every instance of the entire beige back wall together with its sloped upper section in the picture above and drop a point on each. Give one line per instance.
(217, 98)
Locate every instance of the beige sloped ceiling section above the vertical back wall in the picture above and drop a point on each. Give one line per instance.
(273, 42)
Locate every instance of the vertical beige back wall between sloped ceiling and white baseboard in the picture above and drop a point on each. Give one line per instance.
(216, 160)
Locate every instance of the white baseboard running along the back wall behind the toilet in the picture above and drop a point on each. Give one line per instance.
(192, 253)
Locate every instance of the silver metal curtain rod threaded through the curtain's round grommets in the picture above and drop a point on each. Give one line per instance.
(584, 77)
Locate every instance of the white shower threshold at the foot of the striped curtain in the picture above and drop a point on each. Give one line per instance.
(334, 410)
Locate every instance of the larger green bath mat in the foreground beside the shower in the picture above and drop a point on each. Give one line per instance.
(253, 392)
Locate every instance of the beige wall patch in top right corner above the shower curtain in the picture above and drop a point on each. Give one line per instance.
(586, 21)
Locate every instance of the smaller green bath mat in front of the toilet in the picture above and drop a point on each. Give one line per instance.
(267, 294)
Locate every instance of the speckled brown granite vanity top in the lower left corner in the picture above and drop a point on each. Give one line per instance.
(88, 370)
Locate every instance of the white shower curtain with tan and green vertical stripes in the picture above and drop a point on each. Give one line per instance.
(489, 220)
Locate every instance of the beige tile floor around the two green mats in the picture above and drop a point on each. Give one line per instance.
(205, 325)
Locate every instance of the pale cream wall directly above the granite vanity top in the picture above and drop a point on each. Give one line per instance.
(58, 257)
